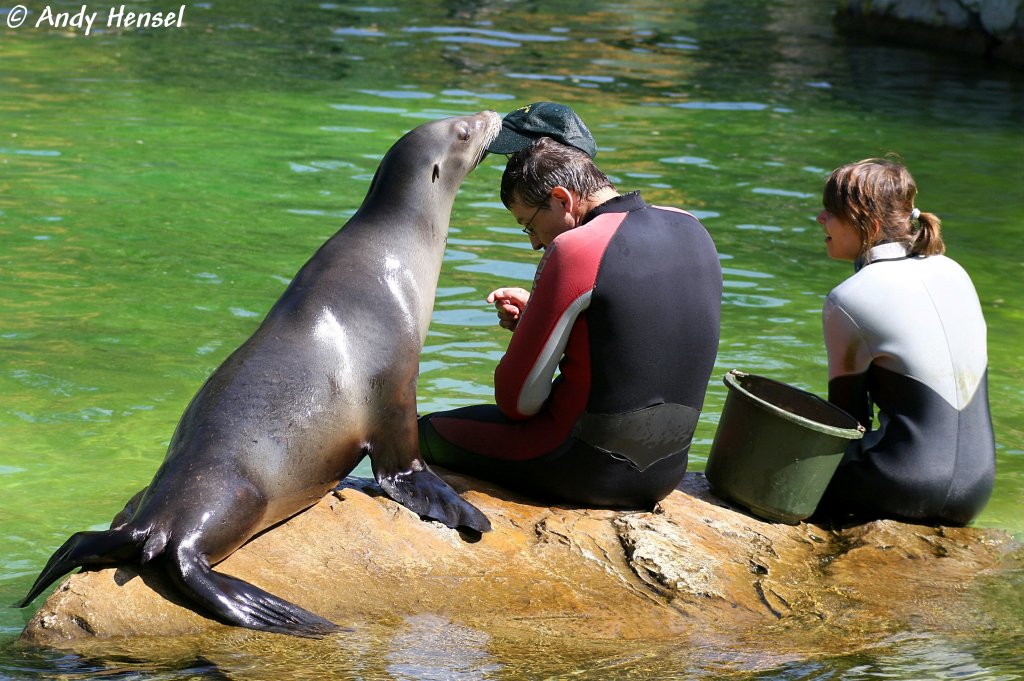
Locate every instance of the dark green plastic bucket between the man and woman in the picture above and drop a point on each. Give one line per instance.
(777, 448)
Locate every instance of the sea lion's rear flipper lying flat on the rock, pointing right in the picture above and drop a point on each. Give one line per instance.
(238, 603)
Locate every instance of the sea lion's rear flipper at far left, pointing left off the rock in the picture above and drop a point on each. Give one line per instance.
(88, 548)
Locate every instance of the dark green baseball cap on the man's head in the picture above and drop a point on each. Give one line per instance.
(543, 119)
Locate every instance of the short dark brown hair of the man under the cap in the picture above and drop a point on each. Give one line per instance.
(533, 174)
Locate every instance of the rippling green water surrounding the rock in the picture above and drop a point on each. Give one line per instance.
(158, 189)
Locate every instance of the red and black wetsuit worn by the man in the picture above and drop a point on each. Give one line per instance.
(626, 307)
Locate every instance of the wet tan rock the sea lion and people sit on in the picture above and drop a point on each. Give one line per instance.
(695, 569)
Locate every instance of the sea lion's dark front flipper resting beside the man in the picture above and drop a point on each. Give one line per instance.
(423, 493)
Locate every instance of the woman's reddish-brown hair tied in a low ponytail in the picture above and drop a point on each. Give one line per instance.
(876, 196)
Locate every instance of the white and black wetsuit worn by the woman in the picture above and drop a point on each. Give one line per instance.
(907, 334)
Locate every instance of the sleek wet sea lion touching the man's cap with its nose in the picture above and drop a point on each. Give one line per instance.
(328, 378)
